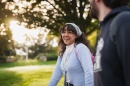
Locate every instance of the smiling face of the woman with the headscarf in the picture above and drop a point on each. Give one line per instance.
(68, 37)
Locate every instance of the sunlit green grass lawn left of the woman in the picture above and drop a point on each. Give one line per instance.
(30, 73)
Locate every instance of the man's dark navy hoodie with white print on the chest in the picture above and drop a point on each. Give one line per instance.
(112, 60)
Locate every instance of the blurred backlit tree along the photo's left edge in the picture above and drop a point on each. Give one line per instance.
(6, 41)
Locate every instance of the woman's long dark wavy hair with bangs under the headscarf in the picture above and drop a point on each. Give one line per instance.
(79, 39)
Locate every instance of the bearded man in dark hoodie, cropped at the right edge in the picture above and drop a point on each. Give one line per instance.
(112, 57)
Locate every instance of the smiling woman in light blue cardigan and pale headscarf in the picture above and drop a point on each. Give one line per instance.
(74, 61)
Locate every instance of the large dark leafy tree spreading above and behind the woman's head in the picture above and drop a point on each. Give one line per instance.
(52, 14)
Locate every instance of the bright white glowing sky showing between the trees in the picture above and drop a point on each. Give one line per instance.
(19, 33)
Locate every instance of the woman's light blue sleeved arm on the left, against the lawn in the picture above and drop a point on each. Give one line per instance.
(57, 74)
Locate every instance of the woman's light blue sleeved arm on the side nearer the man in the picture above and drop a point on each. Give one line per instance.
(84, 56)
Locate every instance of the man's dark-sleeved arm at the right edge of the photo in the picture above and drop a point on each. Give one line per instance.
(123, 47)
